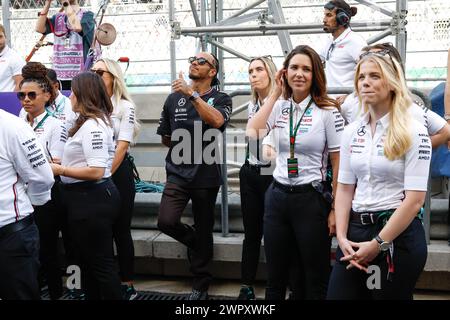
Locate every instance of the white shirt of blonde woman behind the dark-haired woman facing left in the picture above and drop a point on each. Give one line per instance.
(123, 118)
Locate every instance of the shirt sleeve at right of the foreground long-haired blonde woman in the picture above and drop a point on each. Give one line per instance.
(417, 159)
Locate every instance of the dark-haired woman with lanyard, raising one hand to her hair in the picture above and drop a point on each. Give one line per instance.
(298, 213)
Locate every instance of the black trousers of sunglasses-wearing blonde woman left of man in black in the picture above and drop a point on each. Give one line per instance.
(124, 180)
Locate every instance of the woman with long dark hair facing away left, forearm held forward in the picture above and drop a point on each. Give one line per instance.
(90, 195)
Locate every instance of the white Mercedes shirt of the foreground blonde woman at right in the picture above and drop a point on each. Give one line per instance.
(380, 183)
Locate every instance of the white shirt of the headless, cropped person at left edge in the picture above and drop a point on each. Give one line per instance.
(25, 175)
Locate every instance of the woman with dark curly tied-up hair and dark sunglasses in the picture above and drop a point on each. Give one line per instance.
(35, 93)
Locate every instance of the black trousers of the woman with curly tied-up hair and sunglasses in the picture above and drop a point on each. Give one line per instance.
(49, 220)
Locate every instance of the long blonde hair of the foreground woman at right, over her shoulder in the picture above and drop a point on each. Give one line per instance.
(398, 138)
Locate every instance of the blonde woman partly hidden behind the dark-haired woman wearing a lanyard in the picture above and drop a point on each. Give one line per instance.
(252, 178)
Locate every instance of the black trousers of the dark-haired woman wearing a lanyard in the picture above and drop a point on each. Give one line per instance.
(296, 223)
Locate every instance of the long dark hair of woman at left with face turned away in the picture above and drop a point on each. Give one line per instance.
(92, 99)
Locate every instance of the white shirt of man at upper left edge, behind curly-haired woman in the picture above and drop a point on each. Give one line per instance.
(10, 65)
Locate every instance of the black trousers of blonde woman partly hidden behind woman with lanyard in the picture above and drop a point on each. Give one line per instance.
(253, 187)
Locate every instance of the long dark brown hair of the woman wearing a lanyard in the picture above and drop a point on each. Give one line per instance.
(318, 89)
